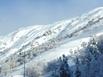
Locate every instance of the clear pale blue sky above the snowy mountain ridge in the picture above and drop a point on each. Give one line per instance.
(21, 13)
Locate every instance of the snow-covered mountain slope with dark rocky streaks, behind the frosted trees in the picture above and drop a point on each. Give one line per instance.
(44, 43)
